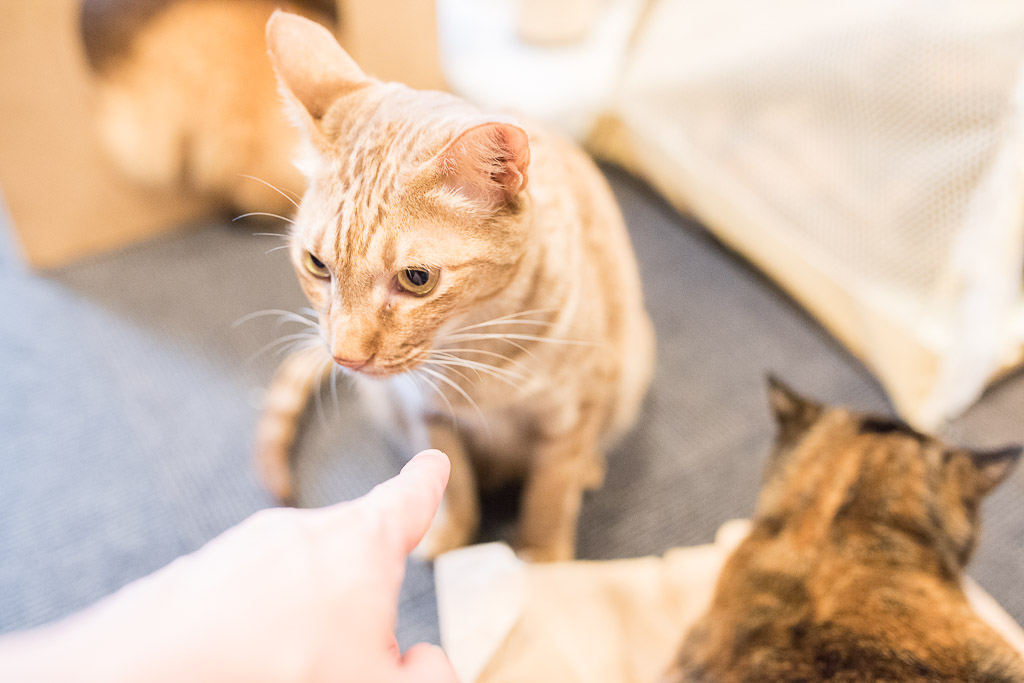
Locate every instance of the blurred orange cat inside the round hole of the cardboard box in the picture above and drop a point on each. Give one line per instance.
(186, 97)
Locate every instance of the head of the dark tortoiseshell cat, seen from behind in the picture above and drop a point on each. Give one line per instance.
(837, 473)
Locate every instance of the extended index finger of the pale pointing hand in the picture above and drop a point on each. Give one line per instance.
(410, 500)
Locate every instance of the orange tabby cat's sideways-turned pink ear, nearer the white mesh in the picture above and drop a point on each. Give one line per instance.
(488, 163)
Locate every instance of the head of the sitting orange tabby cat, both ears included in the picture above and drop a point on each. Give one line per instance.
(415, 210)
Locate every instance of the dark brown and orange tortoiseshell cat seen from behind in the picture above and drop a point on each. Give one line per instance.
(852, 570)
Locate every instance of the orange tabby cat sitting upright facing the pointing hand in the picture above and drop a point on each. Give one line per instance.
(428, 254)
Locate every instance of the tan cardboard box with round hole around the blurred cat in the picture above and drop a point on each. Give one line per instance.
(66, 200)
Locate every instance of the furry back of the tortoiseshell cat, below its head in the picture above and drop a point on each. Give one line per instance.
(844, 624)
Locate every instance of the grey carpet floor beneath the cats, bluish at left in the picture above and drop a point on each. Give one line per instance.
(129, 402)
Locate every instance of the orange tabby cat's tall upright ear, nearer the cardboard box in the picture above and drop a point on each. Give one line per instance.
(311, 66)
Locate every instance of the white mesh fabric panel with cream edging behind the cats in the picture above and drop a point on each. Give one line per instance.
(869, 156)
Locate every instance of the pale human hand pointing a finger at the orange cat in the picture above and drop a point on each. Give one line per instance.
(288, 596)
